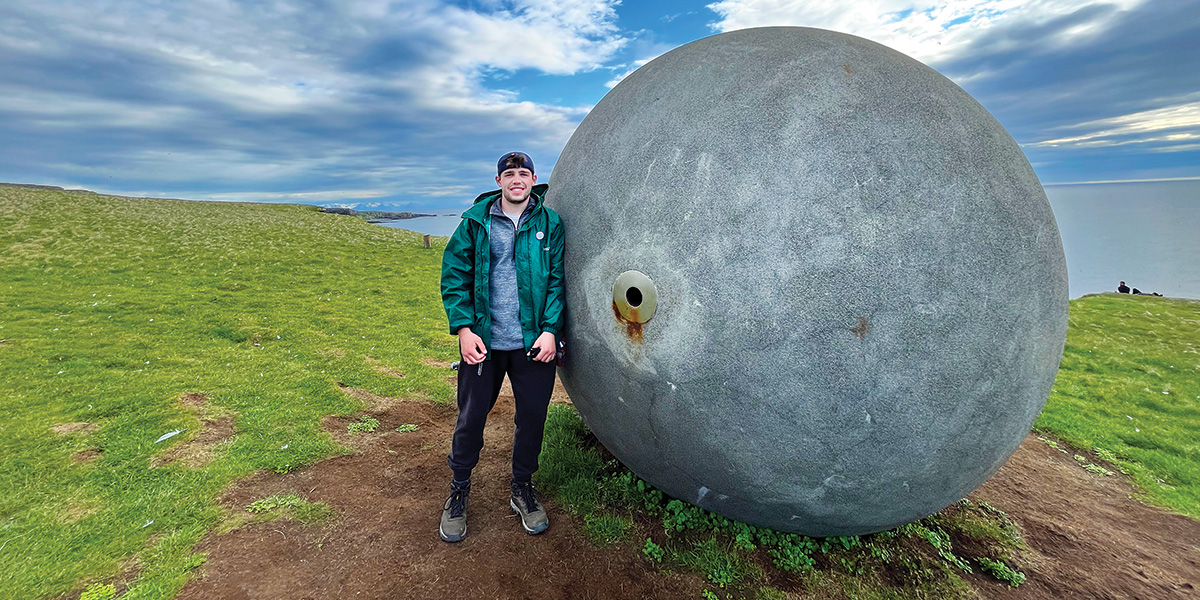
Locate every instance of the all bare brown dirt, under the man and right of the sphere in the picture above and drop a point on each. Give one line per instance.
(1089, 538)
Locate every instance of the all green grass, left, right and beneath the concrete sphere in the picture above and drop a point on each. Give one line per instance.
(115, 309)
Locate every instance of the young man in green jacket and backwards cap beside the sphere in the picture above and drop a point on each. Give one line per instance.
(502, 286)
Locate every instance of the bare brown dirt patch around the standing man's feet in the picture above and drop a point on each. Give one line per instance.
(385, 544)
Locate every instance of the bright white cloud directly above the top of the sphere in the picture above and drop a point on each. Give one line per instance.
(926, 31)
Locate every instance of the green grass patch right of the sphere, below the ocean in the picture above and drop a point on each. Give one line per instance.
(1129, 393)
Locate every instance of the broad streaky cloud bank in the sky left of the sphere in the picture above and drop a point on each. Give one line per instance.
(292, 92)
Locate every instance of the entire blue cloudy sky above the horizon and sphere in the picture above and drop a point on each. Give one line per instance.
(409, 104)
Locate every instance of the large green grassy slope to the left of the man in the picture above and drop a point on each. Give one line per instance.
(115, 308)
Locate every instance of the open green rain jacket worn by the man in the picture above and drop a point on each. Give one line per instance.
(467, 262)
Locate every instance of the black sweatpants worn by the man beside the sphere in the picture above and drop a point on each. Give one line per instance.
(478, 388)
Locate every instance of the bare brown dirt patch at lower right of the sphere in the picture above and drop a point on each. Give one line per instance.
(1090, 538)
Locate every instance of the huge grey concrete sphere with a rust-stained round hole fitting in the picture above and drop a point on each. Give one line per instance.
(857, 286)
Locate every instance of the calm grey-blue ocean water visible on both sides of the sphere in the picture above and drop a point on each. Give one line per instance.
(1147, 235)
